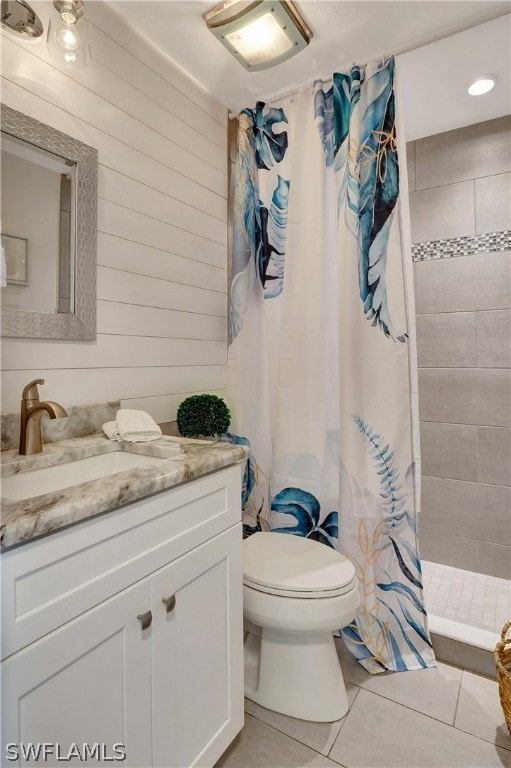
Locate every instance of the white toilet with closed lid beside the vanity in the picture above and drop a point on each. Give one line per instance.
(296, 593)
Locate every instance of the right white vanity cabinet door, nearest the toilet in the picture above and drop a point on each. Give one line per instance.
(198, 654)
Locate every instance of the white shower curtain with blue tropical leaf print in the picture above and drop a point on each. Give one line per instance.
(318, 359)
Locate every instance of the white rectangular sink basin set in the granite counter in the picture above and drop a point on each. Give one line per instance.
(47, 479)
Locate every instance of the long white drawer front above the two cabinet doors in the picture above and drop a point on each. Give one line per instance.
(51, 580)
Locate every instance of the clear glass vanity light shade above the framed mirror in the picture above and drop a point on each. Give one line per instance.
(67, 34)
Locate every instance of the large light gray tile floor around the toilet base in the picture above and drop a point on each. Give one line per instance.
(435, 718)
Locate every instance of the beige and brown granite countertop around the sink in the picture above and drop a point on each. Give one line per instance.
(29, 518)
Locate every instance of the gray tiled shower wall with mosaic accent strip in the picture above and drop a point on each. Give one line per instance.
(461, 220)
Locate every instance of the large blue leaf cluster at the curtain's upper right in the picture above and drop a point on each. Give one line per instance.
(368, 171)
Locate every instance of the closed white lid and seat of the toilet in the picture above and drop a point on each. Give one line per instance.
(294, 565)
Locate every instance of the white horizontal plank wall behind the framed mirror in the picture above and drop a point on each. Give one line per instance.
(162, 210)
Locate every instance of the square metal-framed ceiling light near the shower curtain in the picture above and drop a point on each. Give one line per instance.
(259, 34)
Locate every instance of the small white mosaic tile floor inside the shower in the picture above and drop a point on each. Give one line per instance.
(470, 598)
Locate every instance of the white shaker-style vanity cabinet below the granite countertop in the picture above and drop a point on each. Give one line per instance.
(79, 668)
